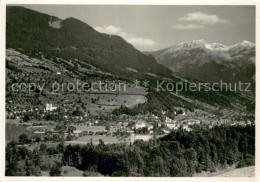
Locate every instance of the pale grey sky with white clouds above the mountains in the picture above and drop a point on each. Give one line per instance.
(153, 27)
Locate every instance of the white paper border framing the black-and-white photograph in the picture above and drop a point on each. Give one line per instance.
(126, 2)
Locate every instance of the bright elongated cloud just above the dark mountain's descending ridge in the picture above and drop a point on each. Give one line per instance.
(138, 42)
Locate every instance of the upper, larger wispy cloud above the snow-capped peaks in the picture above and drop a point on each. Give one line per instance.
(202, 18)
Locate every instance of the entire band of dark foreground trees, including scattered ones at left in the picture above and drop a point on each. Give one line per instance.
(179, 153)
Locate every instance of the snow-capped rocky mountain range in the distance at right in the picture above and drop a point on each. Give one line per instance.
(210, 61)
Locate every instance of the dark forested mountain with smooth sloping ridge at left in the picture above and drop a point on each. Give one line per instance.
(35, 32)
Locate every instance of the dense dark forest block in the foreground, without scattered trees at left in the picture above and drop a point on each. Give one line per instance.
(180, 153)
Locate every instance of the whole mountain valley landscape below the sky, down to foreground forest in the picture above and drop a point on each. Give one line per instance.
(80, 102)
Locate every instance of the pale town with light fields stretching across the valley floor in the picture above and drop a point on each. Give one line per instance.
(80, 128)
